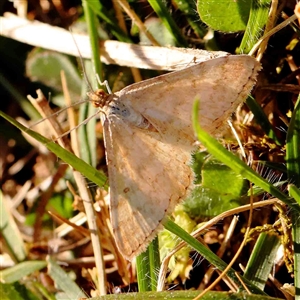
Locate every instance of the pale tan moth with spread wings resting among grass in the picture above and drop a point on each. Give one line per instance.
(149, 140)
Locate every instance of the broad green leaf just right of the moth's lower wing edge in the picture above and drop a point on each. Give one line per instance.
(219, 188)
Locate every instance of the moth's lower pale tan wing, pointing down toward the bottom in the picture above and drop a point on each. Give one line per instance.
(148, 176)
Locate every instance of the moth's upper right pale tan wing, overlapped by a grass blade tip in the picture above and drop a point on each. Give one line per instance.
(220, 84)
